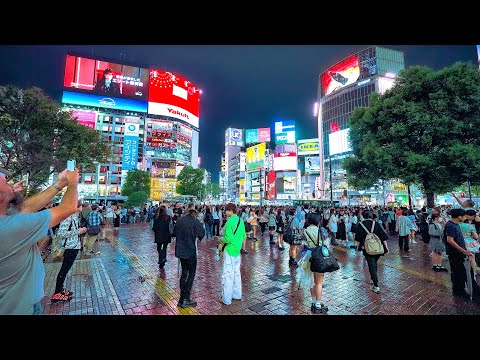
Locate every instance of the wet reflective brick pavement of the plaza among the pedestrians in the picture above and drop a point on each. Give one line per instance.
(124, 279)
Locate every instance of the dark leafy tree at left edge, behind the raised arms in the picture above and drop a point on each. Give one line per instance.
(36, 137)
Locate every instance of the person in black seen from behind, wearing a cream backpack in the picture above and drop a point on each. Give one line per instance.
(369, 240)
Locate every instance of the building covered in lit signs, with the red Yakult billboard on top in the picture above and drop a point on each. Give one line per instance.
(148, 117)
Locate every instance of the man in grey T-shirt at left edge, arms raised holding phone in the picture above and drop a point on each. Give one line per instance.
(22, 272)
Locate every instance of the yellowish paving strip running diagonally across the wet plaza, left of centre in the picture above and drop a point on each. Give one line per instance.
(164, 291)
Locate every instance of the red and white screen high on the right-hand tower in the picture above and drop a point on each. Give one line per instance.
(342, 74)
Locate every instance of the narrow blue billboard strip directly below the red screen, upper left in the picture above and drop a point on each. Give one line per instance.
(104, 101)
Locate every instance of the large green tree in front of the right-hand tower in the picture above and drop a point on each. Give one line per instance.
(425, 130)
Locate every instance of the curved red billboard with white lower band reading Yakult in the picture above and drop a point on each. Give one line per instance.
(174, 96)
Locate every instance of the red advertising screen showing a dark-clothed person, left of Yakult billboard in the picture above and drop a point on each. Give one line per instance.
(105, 78)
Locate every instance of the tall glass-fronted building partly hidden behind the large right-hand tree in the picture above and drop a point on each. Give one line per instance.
(342, 88)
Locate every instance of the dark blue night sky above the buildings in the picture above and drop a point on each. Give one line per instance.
(244, 86)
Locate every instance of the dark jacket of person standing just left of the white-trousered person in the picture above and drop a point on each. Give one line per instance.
(187, 229)
